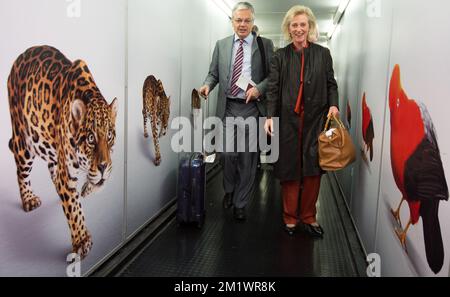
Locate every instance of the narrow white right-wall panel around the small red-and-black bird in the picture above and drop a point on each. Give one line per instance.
(374, 80)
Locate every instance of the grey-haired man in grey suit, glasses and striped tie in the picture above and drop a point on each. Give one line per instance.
(234, 57)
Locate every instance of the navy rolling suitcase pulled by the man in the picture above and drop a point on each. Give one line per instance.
(191, 190)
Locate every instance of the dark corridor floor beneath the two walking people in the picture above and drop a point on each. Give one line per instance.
(258, 247)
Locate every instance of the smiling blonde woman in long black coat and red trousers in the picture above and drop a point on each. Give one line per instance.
(302, 92)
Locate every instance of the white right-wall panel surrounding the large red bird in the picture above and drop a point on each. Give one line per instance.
(424, 76)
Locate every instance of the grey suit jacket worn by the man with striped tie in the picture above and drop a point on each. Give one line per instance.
(219, 71)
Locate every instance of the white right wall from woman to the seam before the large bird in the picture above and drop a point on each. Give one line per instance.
(369, 58)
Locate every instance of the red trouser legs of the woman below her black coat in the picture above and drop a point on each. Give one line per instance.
(308, 194)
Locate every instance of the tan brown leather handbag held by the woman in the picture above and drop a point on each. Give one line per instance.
(336, 148)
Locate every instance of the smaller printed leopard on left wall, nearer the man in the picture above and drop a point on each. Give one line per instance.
(157, 108)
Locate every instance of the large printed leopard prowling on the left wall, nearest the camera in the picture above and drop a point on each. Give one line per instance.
(59, 114)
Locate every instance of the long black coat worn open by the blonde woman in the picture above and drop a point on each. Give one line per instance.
(319, 93)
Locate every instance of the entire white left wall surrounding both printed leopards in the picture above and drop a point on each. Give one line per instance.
(122, 42)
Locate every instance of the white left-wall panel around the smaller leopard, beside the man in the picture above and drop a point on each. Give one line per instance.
(177, 52)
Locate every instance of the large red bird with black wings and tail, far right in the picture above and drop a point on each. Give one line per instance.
(417, 169)
